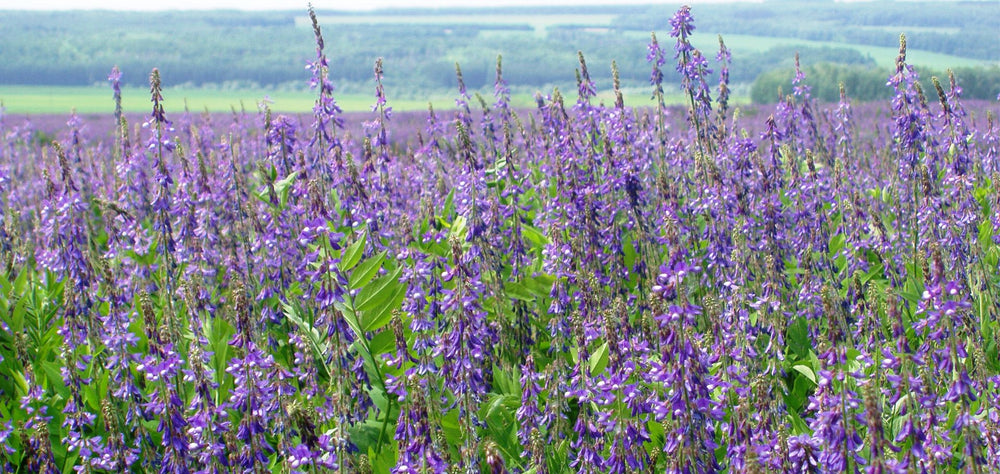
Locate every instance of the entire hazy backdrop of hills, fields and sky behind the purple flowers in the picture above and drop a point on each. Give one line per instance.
(225, 54)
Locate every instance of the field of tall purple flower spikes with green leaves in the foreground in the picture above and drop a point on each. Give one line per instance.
(576, 288)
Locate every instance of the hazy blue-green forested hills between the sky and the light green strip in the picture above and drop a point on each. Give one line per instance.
(227, 47)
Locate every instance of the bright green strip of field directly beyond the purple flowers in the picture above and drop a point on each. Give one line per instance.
(98, 100)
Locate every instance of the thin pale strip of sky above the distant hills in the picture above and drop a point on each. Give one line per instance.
(295, 4)
